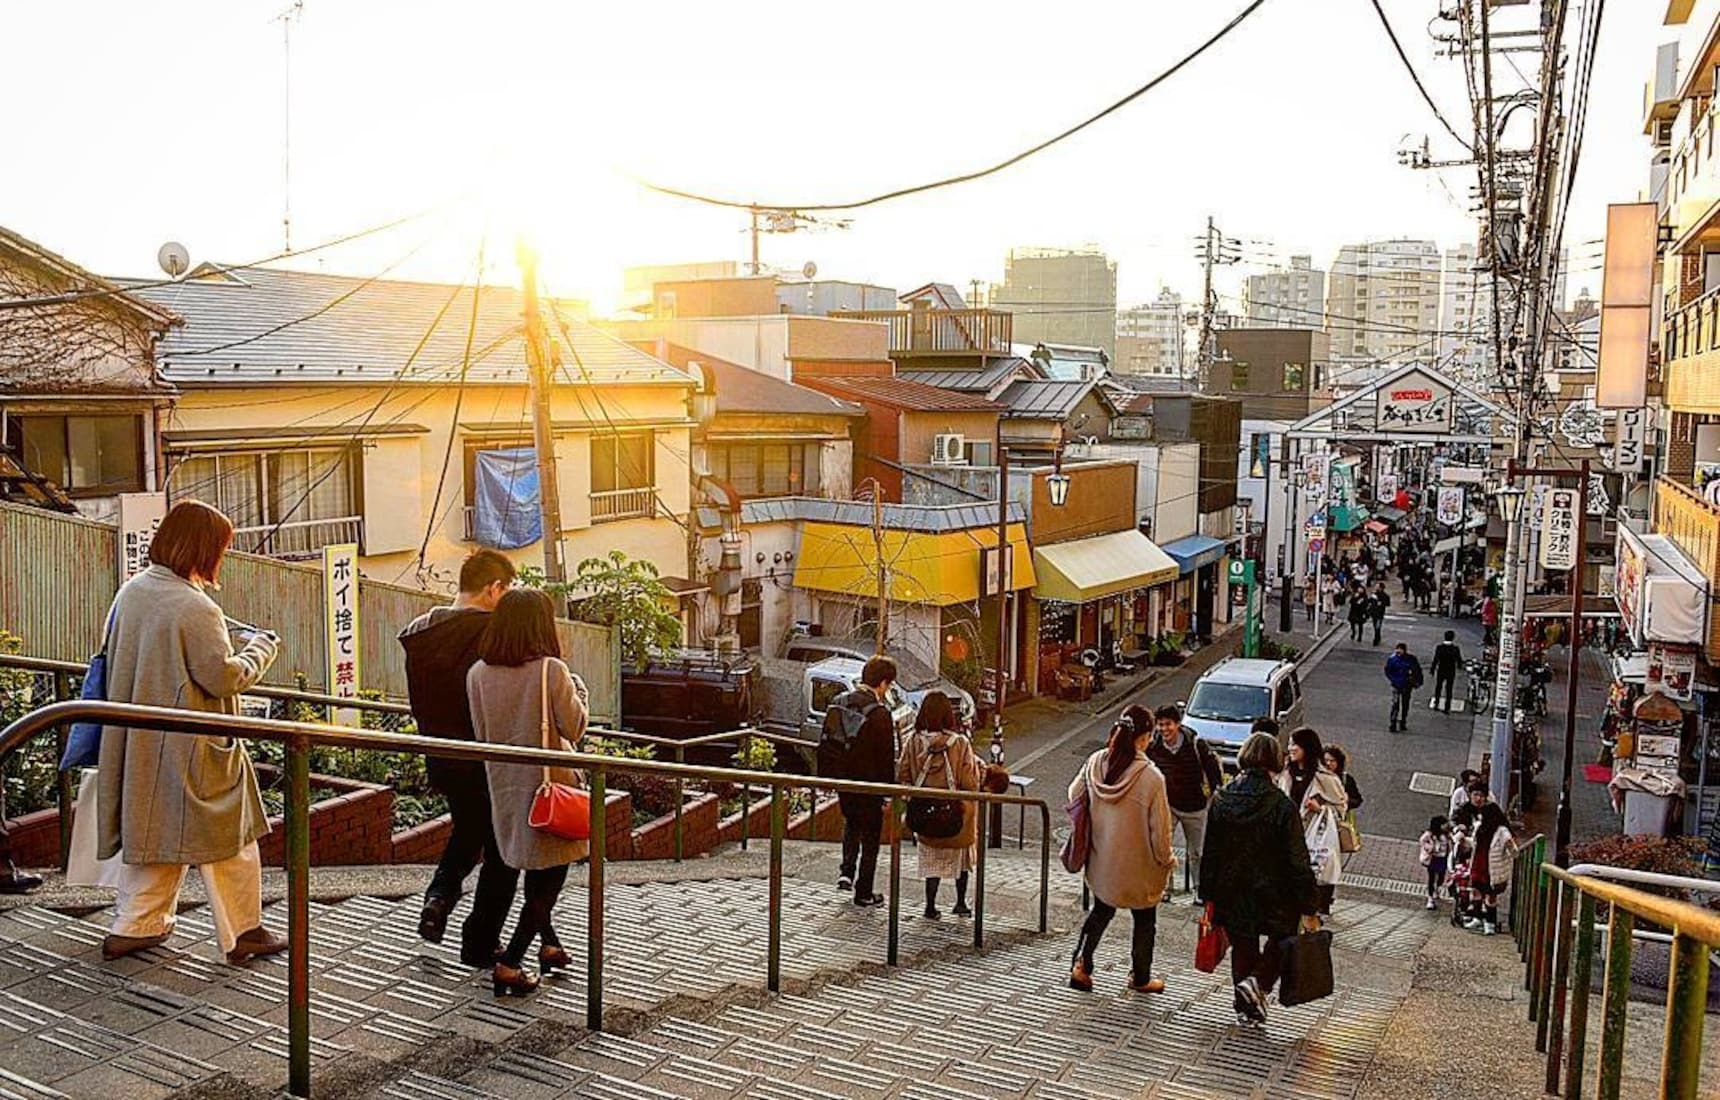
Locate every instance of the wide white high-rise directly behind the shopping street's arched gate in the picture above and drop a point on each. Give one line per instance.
(1384, 302)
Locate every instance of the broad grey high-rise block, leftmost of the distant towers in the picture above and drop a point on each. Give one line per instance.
(1060, 296)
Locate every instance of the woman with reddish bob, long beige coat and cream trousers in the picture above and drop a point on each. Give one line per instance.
(173, 800)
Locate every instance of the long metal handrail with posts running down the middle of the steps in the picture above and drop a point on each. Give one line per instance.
(300, 736)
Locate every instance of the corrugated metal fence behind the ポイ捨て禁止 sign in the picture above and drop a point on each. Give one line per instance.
(59, 575)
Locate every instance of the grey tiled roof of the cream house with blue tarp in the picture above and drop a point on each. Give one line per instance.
(255, 326)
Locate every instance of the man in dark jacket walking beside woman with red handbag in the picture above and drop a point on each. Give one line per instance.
(441, 647)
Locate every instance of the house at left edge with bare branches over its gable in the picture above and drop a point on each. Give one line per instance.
(82, 401)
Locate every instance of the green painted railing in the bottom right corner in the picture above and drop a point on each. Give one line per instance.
(1556, 926)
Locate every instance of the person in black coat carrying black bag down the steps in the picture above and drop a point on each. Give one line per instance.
(1256, 874)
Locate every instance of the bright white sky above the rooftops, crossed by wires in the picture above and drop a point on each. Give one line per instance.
(142, 123)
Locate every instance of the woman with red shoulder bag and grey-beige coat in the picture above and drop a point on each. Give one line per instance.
(524, 695)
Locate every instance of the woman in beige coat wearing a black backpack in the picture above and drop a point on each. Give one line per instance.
(940, 757)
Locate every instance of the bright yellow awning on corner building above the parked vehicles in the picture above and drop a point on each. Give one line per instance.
(924, 568)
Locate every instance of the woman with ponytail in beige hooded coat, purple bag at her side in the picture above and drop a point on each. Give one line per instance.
(1131, 857)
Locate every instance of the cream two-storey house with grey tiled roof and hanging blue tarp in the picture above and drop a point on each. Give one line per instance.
(326, 410)
